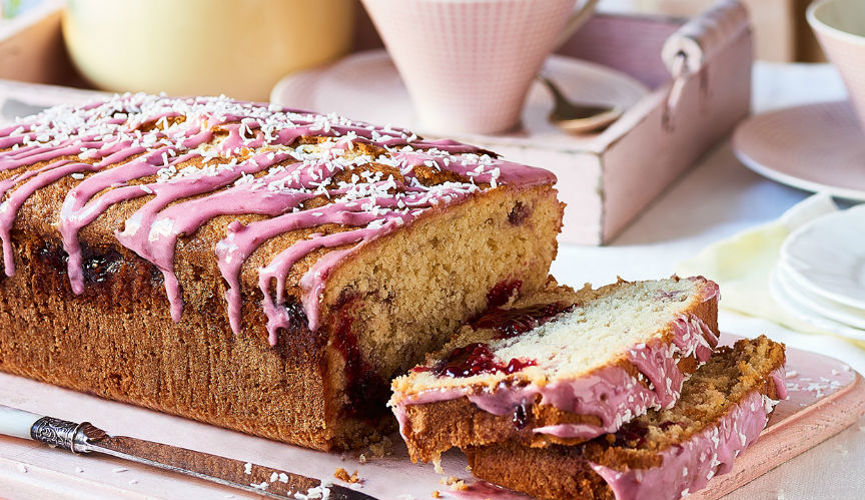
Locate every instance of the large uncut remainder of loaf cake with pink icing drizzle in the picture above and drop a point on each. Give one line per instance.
(259, 268)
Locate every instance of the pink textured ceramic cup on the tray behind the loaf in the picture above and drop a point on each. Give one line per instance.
(468, 64)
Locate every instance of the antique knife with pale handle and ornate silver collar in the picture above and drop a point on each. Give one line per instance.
(85, 438)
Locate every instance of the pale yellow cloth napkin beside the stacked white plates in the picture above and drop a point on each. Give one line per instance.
(742, 264)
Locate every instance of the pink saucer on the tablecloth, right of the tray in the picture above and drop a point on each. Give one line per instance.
(816, 147)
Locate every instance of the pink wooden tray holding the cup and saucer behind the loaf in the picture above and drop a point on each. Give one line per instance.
(607, 179)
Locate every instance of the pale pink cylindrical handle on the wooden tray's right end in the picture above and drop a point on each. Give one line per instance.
(687, 51)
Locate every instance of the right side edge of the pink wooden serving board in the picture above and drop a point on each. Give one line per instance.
(811, 426)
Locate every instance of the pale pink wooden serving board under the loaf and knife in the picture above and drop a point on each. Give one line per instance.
(826, 396)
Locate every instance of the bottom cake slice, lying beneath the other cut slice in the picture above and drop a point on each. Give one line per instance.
(663, 454)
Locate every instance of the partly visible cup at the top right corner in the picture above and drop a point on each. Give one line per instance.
(840, 27)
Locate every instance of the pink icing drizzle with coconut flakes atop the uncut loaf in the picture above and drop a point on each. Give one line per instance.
(126, 157)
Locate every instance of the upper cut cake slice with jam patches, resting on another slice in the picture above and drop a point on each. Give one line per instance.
(559, 366)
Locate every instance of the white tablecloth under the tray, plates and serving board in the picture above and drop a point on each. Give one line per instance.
(717, 199)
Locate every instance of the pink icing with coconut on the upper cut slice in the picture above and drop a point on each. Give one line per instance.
(611, 393)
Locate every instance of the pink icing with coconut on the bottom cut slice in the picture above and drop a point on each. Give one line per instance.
(688, 467)
